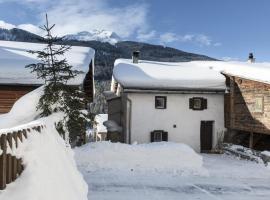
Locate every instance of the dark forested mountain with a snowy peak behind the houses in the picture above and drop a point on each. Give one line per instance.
(108, 48)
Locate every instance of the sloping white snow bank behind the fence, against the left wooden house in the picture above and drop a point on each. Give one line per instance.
(23, 111)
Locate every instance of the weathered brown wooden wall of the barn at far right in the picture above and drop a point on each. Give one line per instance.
(240, 105)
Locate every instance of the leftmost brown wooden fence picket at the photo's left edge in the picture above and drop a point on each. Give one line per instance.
(3, 146)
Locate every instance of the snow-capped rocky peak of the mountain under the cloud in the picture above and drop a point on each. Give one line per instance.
(97, 35)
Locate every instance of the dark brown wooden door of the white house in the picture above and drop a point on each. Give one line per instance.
(206, 135)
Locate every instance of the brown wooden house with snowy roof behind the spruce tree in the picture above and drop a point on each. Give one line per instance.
(16, 80)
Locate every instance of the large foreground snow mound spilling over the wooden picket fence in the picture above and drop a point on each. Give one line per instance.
(50, 170)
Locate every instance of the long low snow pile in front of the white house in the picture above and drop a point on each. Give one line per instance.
(143, 158)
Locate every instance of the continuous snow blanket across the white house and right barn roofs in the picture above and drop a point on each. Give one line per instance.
(185, 75)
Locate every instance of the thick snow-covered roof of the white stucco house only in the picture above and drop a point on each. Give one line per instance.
(166, 75)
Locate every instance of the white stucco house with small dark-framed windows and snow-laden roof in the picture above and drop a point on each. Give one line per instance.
(158, 101)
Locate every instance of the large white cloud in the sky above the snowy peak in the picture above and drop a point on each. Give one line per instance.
(72, 16)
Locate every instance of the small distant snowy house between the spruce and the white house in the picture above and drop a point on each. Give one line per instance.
(100, 131)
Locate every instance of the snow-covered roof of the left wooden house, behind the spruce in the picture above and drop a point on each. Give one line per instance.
(14, 57)
